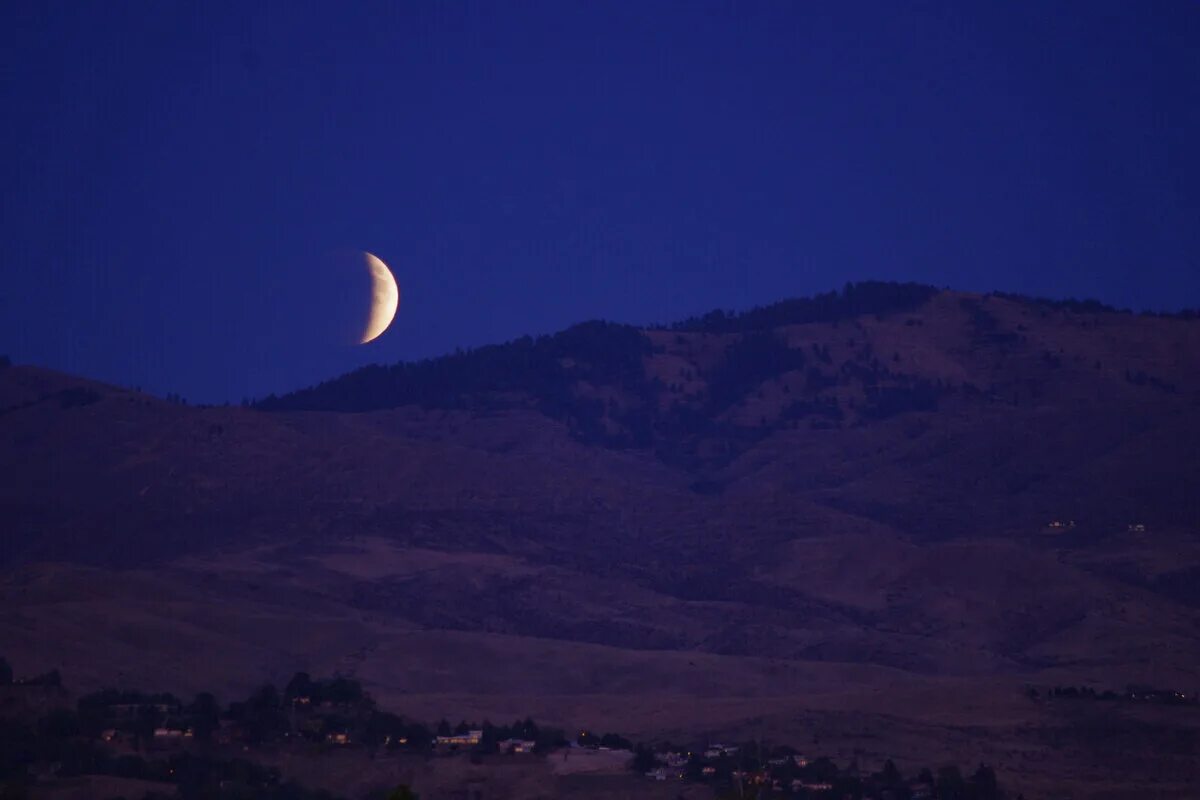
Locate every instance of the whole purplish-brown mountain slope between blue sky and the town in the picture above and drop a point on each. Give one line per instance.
(830, 518)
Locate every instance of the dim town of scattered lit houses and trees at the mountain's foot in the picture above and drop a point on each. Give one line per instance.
(208, 750)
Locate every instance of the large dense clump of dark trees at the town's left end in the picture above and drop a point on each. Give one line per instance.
(71, 739)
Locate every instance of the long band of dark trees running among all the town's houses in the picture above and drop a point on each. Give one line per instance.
(70, 739)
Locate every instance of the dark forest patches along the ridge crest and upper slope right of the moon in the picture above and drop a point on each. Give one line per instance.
(548, 372)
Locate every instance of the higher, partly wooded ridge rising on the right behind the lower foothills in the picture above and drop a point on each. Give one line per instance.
(1013, 411)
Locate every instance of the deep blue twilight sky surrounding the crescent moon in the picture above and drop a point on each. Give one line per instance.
(172, 172)
